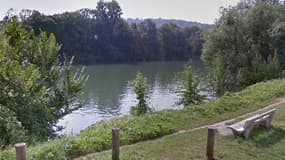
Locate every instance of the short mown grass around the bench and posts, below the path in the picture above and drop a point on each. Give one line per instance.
(263, 144)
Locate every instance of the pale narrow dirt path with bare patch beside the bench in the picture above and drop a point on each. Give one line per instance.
(222, 126)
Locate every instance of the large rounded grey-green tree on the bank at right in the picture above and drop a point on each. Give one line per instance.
(245, 46)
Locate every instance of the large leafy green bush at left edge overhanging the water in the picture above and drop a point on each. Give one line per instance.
(36, 89)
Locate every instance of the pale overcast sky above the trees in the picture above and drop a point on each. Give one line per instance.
(205, 11)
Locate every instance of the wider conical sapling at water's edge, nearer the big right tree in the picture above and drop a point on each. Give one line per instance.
(188, 90)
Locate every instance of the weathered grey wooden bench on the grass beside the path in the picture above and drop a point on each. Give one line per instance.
(245, 127)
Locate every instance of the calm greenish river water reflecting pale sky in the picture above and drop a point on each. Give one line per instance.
(108, 94)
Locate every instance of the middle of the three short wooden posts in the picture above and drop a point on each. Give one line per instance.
(115, 144)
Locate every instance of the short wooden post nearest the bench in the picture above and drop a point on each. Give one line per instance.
(210, 144)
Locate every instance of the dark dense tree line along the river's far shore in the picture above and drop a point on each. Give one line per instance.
(102, 35)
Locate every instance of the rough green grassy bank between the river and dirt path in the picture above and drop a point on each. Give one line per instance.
(135, 129)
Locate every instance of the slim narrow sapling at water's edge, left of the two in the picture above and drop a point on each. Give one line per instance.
(140, 87)
